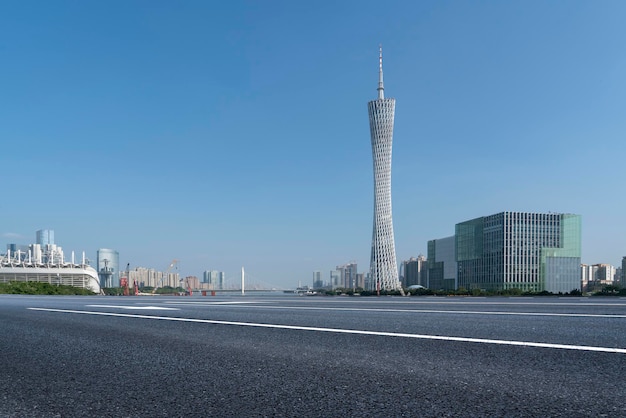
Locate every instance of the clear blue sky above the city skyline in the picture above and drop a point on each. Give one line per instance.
(233, 133)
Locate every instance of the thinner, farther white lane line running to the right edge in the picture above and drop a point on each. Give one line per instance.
(315, 308)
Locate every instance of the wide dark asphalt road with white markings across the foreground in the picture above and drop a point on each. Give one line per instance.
(290, 356)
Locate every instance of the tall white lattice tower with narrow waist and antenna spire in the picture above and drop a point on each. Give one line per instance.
(383, 266)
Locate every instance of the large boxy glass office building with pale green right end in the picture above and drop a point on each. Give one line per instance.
(527, 251)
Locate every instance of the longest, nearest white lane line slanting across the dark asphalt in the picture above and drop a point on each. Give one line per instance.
(350, 331)
